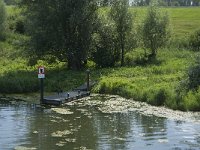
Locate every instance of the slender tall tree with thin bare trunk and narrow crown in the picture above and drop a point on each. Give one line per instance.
(123, 22)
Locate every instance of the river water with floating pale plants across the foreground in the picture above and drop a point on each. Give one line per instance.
(97, 123)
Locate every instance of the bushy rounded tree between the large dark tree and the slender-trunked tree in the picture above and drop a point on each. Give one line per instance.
(106, 48)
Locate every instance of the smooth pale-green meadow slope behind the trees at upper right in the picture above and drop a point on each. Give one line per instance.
(184, 20)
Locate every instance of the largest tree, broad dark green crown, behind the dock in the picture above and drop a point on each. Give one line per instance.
(62, 28)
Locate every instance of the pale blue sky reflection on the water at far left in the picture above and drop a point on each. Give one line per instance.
(13, 124)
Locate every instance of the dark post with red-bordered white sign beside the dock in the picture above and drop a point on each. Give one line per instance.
(41, 76)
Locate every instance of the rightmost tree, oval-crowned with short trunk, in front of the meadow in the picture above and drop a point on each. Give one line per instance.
(155, 29)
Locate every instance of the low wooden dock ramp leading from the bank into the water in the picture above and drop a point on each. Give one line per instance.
(64, 97)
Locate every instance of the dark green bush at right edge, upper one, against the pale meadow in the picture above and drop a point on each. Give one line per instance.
(194, 41)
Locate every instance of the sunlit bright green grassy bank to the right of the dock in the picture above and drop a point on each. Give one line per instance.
(155, 83)
